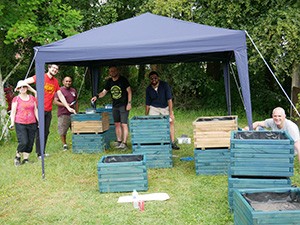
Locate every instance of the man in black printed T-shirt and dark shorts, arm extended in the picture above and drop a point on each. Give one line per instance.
(121, 96)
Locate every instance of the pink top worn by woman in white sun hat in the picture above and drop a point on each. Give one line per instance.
(25, 110)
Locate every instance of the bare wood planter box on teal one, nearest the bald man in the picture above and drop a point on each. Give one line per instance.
(214, 132)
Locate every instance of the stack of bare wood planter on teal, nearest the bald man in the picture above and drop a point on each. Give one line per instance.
(212, 142)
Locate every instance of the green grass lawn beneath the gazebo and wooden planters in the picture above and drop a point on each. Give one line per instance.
(69, 193)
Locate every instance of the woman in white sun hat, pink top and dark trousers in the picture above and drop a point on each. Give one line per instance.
(24, 117)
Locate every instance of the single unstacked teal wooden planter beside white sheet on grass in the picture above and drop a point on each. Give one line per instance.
(122, 173)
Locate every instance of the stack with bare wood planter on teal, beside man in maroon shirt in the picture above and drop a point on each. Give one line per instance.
(88, 132)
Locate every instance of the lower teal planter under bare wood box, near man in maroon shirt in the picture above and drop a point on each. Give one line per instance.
(88, 143)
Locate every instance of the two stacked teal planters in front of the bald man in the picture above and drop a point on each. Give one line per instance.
(259, 160)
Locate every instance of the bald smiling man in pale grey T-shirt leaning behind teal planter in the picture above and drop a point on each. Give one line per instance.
(279, 122)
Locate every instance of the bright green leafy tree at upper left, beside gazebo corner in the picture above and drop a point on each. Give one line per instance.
(27, 23)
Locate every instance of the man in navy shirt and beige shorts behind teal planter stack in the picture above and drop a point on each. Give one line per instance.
(159, 102)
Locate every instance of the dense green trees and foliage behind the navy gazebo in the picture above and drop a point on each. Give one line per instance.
(273, 25)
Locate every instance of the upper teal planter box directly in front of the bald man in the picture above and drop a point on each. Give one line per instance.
(261, 153)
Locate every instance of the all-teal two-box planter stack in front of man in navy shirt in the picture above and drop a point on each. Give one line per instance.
(150, 135)
